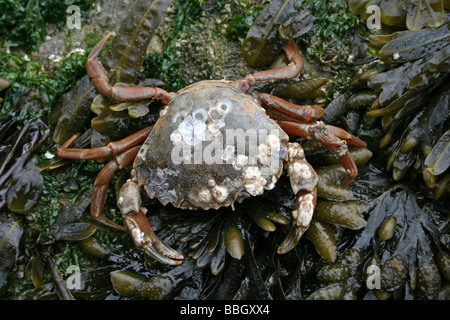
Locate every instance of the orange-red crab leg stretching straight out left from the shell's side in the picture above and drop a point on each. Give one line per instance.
(111, 149)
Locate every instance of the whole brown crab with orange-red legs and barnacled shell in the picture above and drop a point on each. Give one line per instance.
(213, 145)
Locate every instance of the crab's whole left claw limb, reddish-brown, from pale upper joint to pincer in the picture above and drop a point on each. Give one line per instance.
(139, 227)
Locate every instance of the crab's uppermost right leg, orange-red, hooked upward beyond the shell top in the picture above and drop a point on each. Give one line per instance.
(291, 71)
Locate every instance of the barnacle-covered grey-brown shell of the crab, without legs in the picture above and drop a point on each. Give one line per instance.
(213, 145)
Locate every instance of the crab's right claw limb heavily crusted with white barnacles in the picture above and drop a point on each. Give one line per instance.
(303, 180)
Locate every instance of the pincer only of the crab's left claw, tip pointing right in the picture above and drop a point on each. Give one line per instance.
(144, 238)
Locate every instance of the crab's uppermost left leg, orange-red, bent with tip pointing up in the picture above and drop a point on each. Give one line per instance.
(100, 80)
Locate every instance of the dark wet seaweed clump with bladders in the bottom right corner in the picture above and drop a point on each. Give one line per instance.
(399, 255)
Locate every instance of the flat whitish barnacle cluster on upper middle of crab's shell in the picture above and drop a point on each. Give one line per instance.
(201, 124)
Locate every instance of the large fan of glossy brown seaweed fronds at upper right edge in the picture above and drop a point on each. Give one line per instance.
(406, 92)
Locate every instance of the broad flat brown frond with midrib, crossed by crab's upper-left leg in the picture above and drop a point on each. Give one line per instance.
(122, 61)
